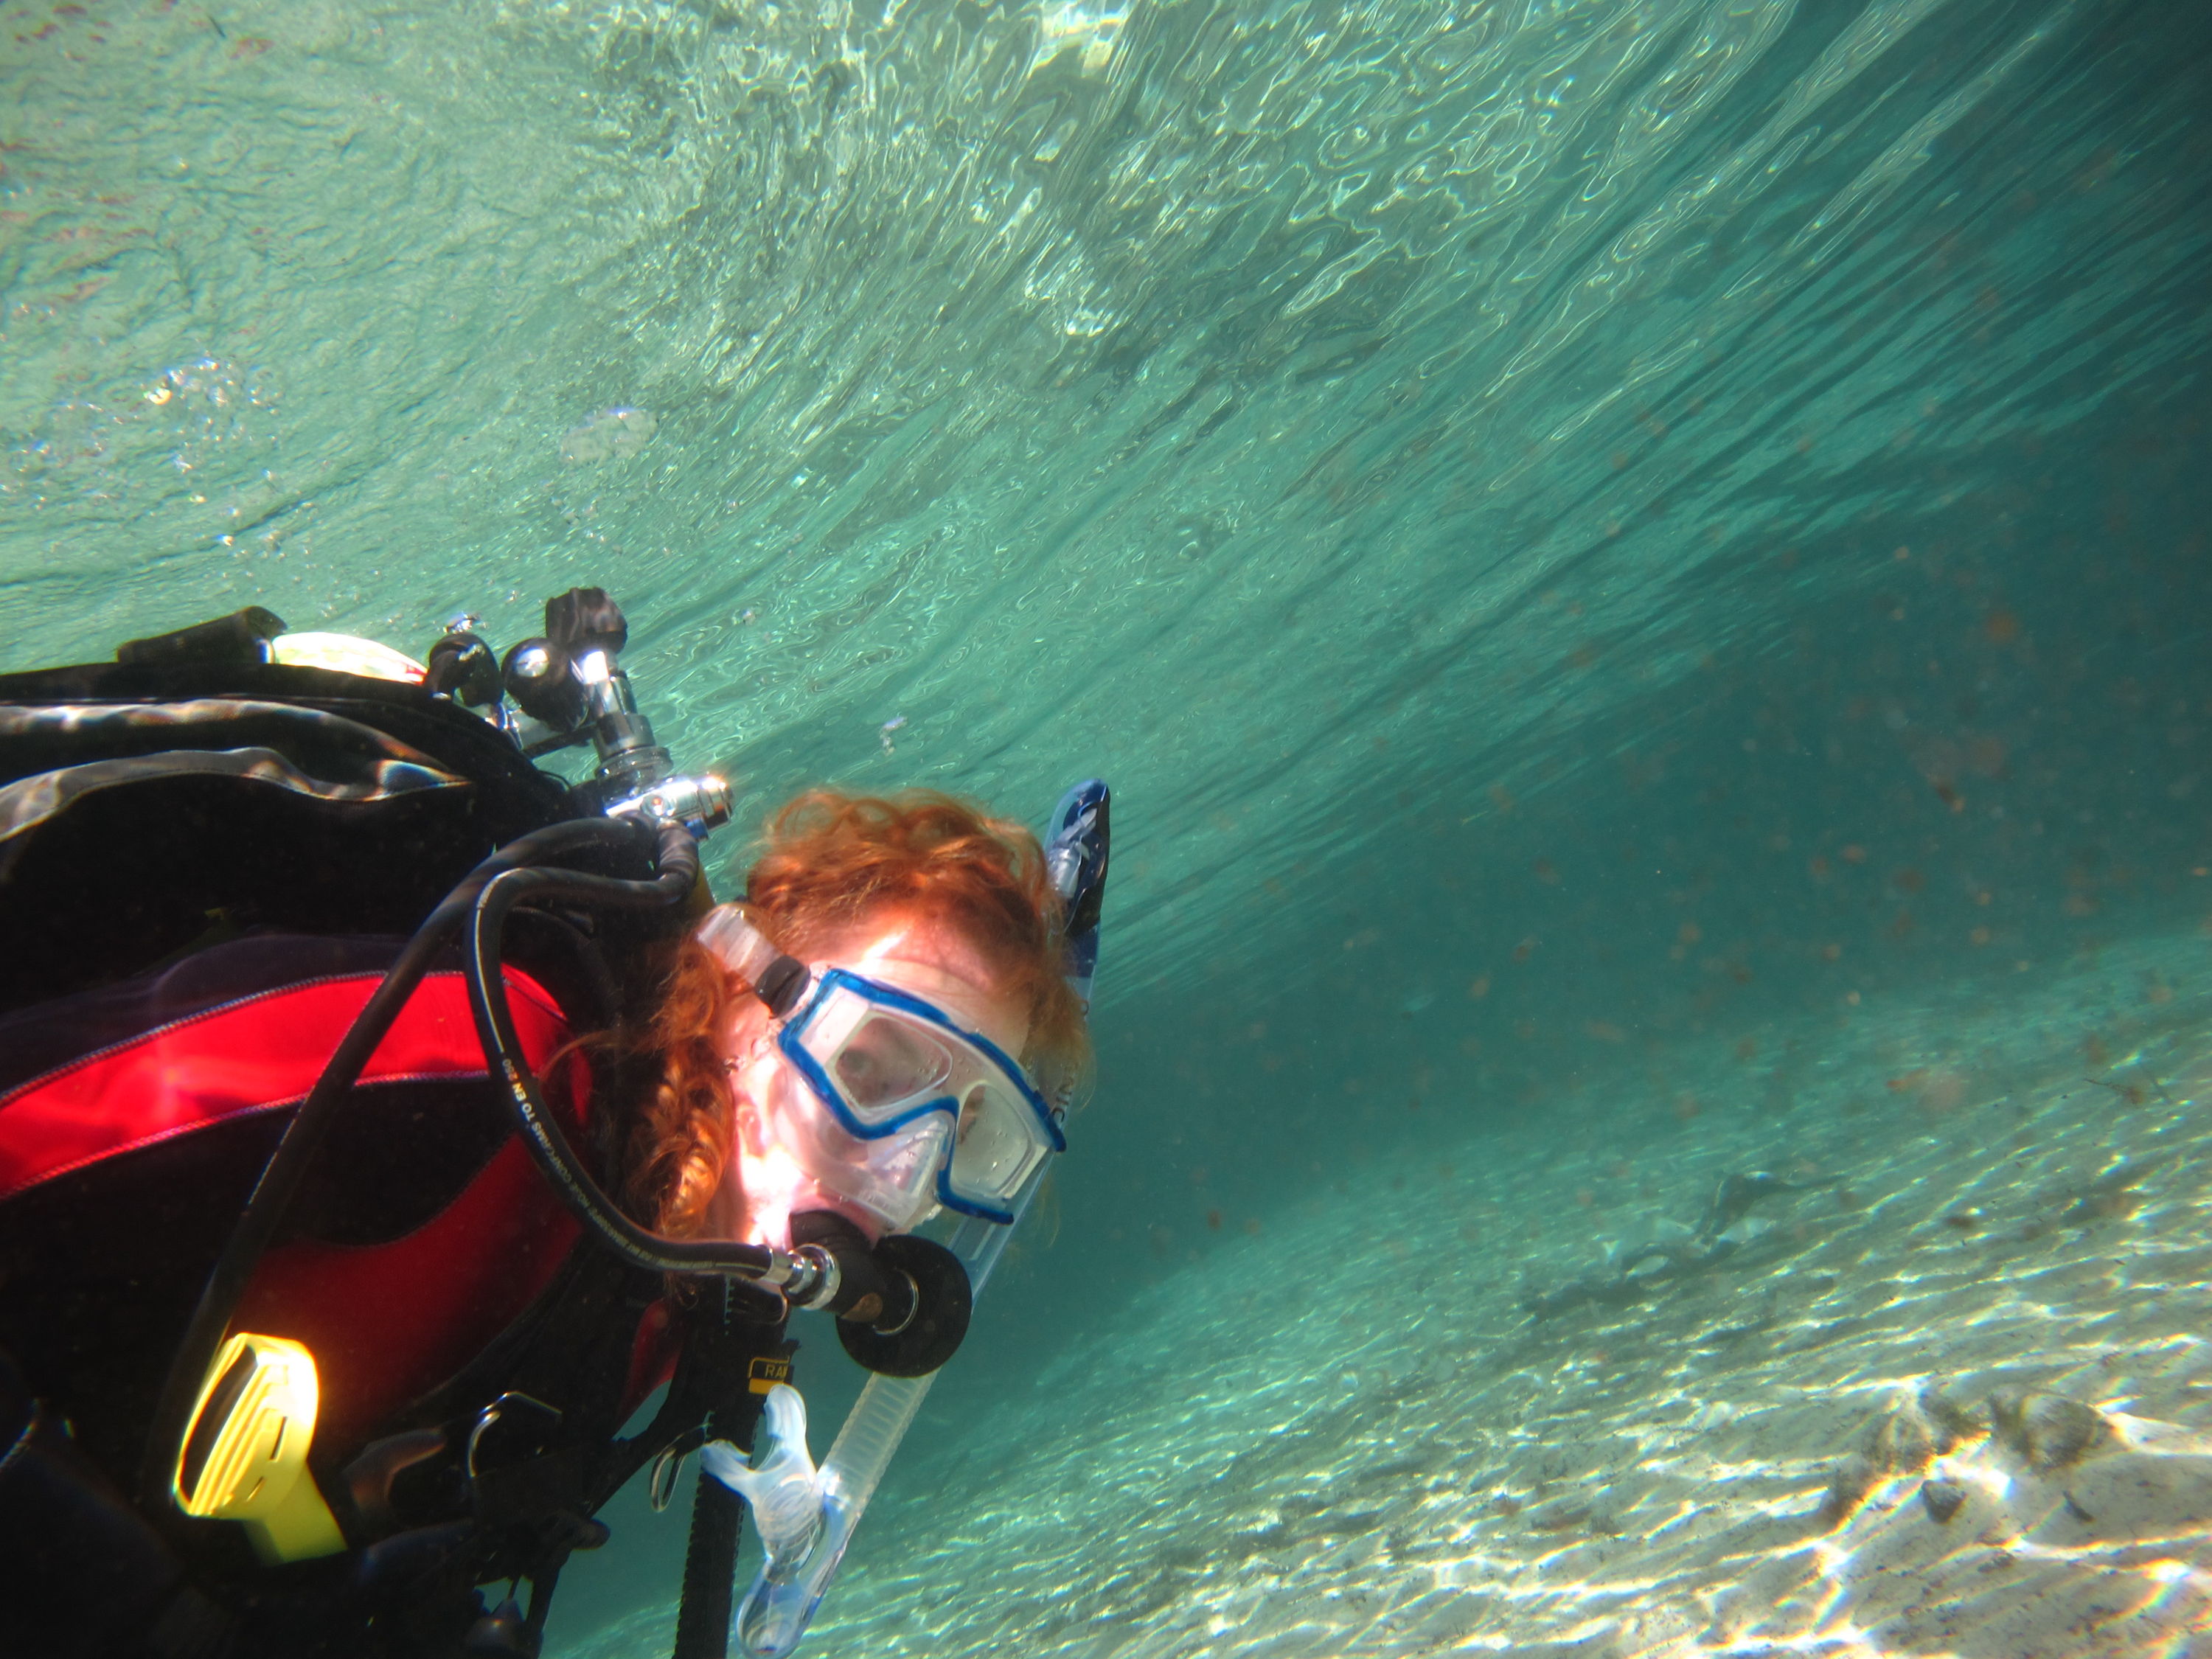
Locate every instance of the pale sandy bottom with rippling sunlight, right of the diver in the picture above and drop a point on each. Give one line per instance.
(1957, 1406)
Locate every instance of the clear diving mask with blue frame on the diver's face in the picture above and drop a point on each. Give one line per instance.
(886, 1100)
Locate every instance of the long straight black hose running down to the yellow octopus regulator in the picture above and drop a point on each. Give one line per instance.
(295, 1151)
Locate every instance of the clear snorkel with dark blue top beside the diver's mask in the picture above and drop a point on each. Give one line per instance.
(808, 1516)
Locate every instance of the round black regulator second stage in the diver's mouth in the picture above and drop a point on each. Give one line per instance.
(901, 1306)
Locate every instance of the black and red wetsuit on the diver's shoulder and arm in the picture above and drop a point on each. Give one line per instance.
(136, 1118)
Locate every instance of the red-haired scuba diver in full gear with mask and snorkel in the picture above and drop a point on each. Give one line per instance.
(384, 1123)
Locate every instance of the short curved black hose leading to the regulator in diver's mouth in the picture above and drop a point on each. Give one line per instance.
(541, 1131)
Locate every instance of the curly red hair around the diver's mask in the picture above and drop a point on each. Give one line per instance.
(828, 864)
